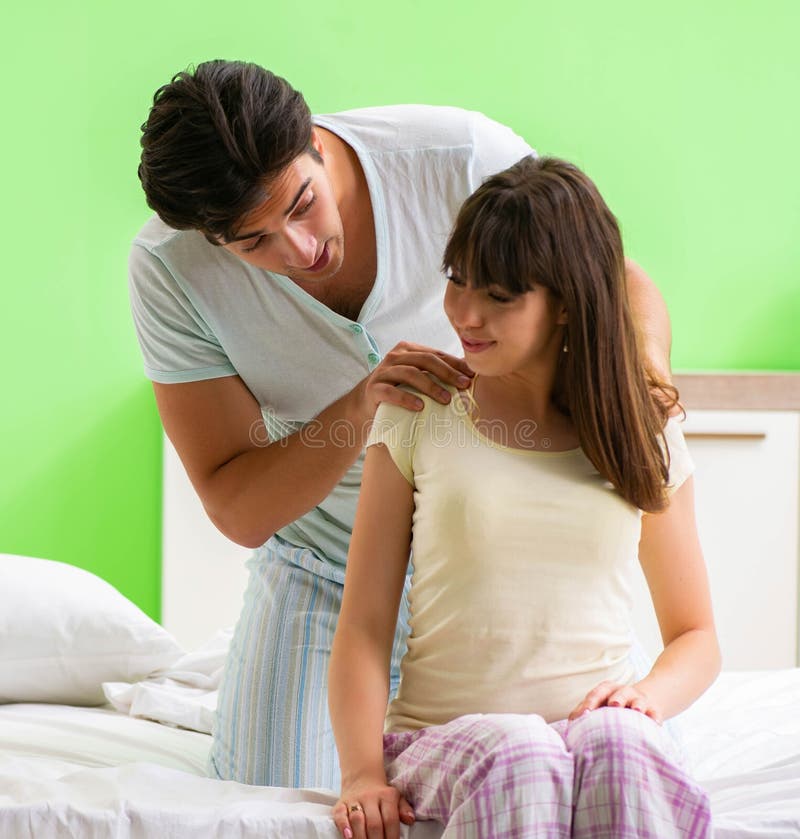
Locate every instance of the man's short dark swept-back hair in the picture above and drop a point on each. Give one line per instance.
(214, 139)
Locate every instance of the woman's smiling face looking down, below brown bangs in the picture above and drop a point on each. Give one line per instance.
(502, 334)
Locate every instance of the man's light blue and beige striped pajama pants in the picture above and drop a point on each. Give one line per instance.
(272, 726)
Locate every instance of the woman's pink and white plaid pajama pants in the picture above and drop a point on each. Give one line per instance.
(611, 774)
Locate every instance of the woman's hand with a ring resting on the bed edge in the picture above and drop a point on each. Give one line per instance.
(371, 811)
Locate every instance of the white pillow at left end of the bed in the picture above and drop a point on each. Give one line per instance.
(64, 631)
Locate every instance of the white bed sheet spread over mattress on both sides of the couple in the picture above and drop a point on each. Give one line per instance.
(96, 774)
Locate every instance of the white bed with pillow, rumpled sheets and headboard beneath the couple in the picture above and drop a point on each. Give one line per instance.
(67, 770)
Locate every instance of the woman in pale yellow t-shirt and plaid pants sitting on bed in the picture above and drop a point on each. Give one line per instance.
(525, 502)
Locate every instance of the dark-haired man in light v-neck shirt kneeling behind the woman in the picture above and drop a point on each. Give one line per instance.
(291, 283)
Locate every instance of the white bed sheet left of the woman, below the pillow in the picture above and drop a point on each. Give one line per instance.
(94, 773)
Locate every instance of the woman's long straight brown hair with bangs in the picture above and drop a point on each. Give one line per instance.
(543, 222)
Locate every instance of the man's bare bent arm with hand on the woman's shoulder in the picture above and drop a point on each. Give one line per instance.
(250, 487)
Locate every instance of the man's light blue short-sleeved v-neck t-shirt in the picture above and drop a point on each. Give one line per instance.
(201, 313)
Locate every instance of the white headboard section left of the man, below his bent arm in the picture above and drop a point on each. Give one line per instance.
(202, 574)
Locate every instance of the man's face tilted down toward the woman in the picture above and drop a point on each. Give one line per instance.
(298, 230)
